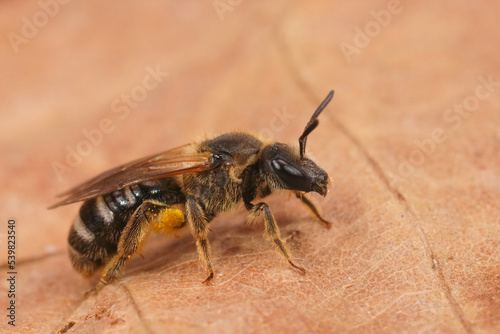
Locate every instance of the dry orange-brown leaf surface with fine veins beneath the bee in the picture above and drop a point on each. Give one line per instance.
(416, 235)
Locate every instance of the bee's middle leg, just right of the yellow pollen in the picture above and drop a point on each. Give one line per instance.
(198, 223)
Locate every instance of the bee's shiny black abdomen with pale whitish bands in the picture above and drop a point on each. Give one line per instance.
(96, 231)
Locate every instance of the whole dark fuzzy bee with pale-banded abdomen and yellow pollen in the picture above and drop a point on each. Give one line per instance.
(188, 185)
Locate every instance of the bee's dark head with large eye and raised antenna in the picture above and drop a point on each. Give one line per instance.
(285, 168)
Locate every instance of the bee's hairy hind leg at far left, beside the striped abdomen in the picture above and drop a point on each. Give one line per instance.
(135, 233)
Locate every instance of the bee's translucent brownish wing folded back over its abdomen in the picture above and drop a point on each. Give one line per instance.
(166, 164)
